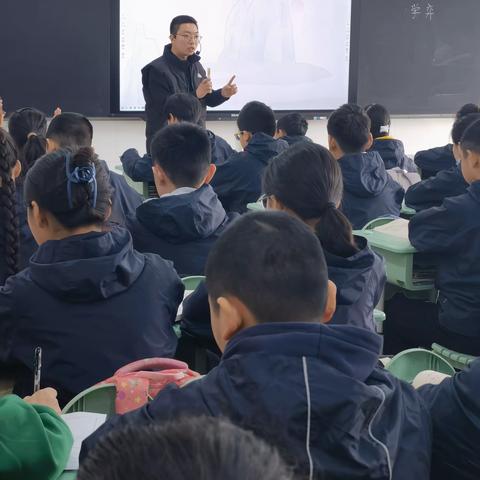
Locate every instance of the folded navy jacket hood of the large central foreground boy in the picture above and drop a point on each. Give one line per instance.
(352, 351)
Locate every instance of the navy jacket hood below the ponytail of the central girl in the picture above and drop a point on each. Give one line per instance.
(351, 274)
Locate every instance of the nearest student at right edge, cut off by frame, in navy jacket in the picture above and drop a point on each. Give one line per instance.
(451, 235)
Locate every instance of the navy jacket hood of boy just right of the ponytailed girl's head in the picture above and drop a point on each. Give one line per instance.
(364, 174)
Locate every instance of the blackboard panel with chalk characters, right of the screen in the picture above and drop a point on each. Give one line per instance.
(419, 56)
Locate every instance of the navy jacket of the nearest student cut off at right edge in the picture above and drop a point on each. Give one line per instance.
(452, 233)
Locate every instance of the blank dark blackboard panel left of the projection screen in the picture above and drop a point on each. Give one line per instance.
(56, 52)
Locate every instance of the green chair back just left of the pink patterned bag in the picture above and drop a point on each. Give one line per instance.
(96, 399)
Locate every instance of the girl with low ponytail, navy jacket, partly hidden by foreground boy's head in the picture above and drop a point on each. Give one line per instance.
(306, 182)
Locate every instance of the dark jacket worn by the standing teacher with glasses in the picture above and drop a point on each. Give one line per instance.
(166, 76)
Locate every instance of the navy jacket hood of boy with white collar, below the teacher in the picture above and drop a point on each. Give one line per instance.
(186, 217)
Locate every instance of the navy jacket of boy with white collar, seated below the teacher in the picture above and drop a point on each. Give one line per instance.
(181, 228)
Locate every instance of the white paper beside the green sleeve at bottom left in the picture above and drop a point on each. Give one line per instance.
(81, 424)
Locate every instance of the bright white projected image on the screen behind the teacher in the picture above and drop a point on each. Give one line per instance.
(290, 54)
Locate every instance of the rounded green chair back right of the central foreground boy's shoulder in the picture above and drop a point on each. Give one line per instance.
(408, 364)
